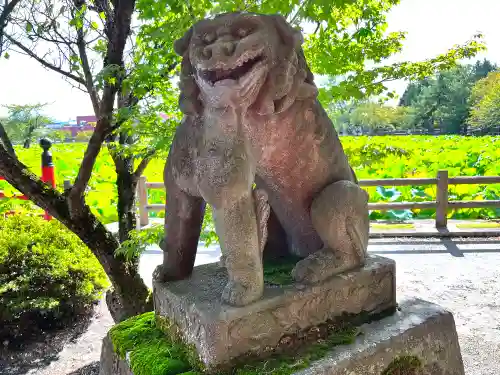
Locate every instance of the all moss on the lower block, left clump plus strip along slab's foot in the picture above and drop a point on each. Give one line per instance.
(153, 347)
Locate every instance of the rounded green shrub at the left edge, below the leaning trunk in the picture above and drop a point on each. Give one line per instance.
(47, 276)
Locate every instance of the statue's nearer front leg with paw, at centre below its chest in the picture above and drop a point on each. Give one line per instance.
(227, 187)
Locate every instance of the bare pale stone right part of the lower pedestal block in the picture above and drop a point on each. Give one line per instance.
(420, 329)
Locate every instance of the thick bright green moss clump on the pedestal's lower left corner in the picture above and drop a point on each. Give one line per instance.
(149, 350)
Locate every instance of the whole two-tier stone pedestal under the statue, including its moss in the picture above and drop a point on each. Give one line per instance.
(298, 321)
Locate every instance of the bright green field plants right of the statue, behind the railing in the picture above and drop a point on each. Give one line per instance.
(423, 157)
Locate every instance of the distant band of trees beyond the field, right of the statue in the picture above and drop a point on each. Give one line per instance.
(462, 100)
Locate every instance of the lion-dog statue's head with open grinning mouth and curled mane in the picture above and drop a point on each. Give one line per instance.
(244, 60)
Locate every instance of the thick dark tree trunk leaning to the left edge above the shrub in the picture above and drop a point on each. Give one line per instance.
(130, 293)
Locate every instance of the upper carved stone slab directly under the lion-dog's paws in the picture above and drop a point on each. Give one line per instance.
(221, 332)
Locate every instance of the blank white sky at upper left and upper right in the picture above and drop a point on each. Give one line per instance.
(432, 27)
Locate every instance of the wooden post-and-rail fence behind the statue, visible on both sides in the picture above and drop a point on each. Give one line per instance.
(441, 204)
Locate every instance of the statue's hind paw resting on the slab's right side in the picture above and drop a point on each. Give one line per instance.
(321, 265)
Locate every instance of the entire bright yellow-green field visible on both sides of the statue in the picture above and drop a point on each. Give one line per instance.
(371, 157)
